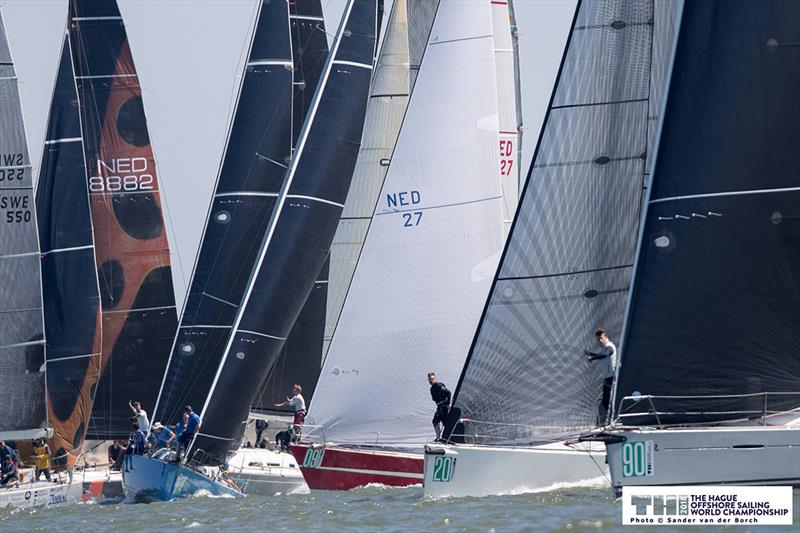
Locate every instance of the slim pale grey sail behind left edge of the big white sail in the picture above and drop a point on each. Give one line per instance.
(407, 31)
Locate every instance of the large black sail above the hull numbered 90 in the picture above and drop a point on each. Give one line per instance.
(715, 304)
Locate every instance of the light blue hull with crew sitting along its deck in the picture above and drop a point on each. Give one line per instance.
(148, 479)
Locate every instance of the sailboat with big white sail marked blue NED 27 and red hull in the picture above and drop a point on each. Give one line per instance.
(424, 270)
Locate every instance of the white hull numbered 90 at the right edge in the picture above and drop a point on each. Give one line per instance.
(706, 456)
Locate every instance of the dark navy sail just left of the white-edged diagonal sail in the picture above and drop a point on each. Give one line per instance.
(258, 150)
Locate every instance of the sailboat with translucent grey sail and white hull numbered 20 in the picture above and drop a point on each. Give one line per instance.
(526, 389)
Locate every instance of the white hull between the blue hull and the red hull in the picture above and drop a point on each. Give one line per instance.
(259, 471)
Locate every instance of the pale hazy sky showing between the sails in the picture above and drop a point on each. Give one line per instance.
(189, 54)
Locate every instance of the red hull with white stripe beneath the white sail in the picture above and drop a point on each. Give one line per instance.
(337, 468)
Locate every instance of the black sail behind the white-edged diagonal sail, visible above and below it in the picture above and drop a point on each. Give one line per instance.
(301, 356)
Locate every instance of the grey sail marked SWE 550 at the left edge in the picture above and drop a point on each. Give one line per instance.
(21, 326)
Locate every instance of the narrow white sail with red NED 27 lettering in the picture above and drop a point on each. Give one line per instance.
(509, 111)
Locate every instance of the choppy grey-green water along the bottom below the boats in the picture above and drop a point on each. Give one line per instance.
(365, 509)
